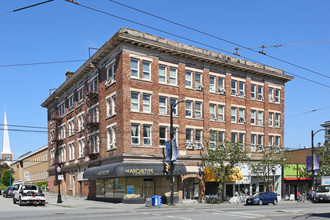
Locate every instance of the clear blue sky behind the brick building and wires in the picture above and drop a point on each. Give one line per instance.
(62, 31)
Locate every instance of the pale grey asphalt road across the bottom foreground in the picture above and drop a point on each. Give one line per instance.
(284, 210)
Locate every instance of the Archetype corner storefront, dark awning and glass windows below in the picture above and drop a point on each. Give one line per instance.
(134, 182)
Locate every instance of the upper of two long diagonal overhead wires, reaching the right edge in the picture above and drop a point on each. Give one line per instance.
(219, 38)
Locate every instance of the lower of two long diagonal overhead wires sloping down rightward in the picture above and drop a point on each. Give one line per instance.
(191, 40)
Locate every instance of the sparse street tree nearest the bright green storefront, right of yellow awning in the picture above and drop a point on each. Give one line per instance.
(270, 161)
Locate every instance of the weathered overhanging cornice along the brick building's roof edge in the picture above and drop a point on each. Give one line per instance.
(141, 39)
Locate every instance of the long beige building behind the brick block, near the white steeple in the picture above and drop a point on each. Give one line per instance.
(32, 166)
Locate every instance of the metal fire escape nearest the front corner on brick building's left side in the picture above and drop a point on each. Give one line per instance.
(91, 120)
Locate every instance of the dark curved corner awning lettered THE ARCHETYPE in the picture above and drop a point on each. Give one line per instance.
(131, 170)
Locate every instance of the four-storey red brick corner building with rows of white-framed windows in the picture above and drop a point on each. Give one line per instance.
(108, 122)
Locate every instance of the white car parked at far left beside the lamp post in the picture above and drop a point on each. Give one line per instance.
(29, 194)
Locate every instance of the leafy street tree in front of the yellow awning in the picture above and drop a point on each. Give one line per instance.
(221, 159)
